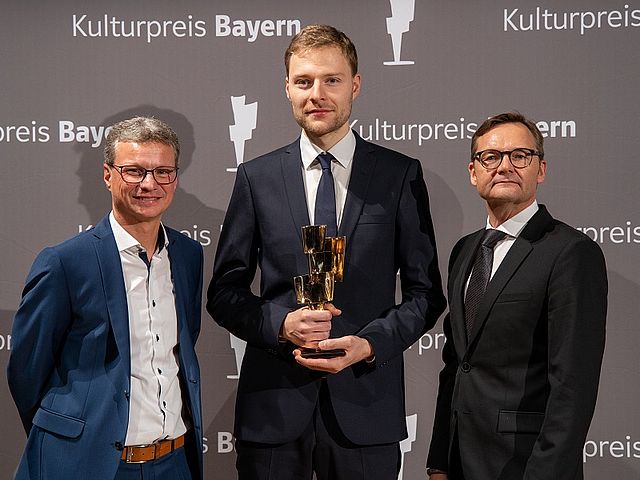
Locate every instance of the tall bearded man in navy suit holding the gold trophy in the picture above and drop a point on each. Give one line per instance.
(341, 417)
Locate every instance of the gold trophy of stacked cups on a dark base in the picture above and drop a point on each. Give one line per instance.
(326, 266)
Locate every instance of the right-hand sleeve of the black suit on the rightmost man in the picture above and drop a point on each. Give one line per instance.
(577, 306)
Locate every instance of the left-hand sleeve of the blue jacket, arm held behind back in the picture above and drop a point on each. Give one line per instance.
(39, 328)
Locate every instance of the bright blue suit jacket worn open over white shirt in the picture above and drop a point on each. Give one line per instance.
(69, 370)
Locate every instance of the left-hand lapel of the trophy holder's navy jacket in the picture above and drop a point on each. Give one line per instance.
(291, 165)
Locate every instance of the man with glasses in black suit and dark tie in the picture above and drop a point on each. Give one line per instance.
(523, 353)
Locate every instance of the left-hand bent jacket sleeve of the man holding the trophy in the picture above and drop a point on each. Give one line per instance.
(230, 300)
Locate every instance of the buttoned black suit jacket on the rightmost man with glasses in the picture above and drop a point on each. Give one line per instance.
(520, 393)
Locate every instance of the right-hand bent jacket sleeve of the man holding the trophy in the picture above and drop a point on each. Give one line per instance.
(417, 260)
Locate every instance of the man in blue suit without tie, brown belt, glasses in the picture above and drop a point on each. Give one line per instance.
(103, 368)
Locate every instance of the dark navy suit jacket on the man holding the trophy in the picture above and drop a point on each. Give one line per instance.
(388, 227)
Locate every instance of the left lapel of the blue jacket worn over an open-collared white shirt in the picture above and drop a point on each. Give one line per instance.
(113, 286)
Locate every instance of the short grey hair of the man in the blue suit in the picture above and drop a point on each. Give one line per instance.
(140, 130)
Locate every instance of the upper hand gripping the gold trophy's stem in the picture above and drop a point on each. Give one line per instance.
(305, 327)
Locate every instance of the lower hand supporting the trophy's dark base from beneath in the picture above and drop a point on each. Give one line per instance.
(356, 348)
